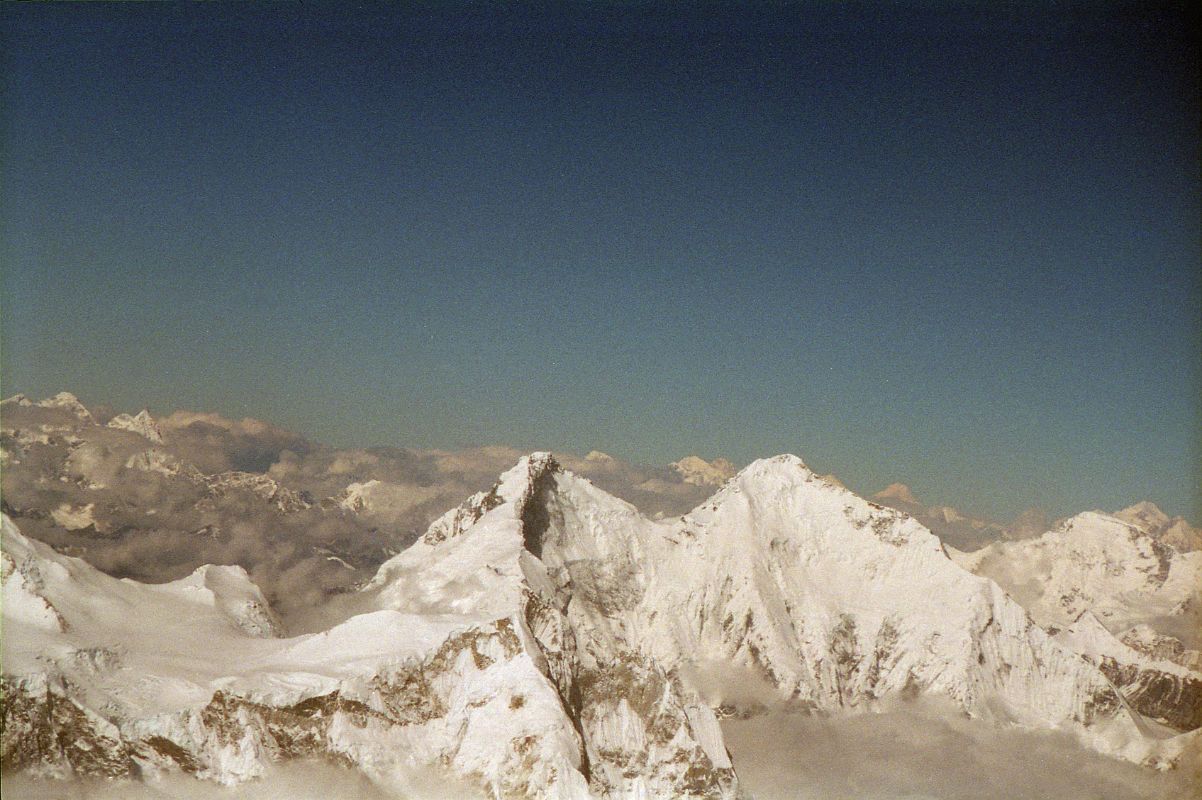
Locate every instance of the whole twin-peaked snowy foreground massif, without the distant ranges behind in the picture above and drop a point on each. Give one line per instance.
(543, 640)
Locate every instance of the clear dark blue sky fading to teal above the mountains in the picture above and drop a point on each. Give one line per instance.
(938, 243)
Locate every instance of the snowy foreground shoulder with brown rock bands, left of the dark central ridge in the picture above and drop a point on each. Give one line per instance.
(112, 678)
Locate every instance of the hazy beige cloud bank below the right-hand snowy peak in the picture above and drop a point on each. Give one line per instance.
(925, 753)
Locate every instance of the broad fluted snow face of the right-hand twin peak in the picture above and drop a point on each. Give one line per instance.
(841, 604)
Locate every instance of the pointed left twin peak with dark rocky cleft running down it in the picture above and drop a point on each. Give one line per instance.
(644, 735)
